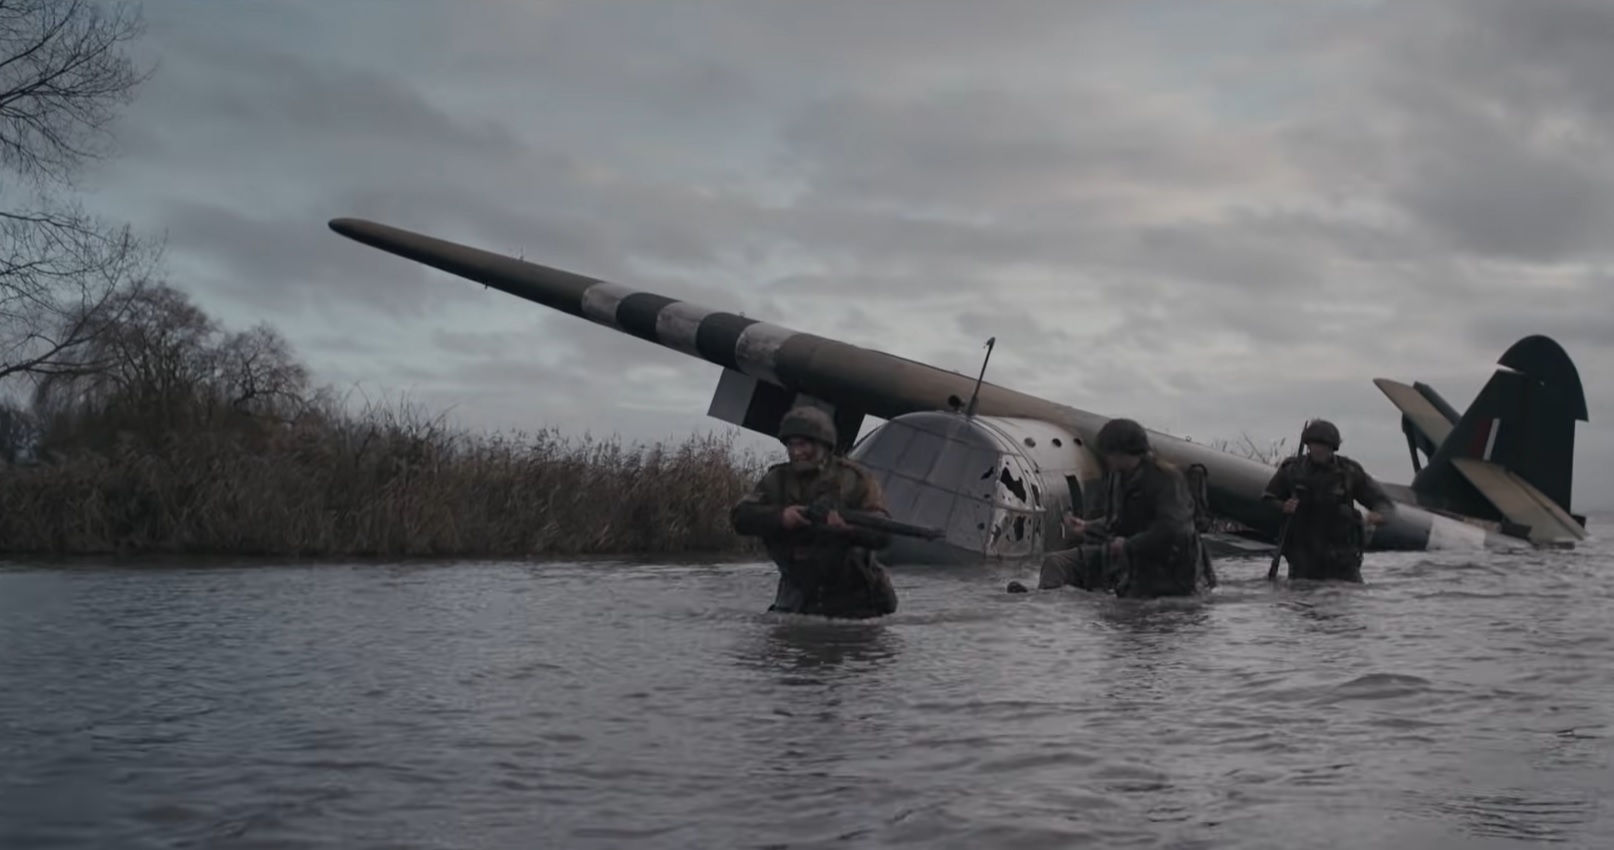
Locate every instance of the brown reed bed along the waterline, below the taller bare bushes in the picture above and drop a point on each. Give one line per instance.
(378, 485)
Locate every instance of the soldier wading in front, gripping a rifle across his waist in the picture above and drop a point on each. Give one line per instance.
(826, 569)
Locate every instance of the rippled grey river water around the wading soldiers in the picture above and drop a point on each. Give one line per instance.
(1450, 702)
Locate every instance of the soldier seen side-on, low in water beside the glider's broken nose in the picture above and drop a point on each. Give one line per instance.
(1153, 546)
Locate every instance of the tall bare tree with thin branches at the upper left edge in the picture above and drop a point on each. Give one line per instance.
(64, 75)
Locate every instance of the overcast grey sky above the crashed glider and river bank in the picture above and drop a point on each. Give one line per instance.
(1216, 217)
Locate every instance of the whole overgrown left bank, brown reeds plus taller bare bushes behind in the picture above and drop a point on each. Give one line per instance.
(177, 436)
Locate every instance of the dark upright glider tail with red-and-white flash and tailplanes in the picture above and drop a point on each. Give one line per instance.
(1512, 456)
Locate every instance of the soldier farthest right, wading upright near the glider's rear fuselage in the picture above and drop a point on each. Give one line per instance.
(1321, 491)
